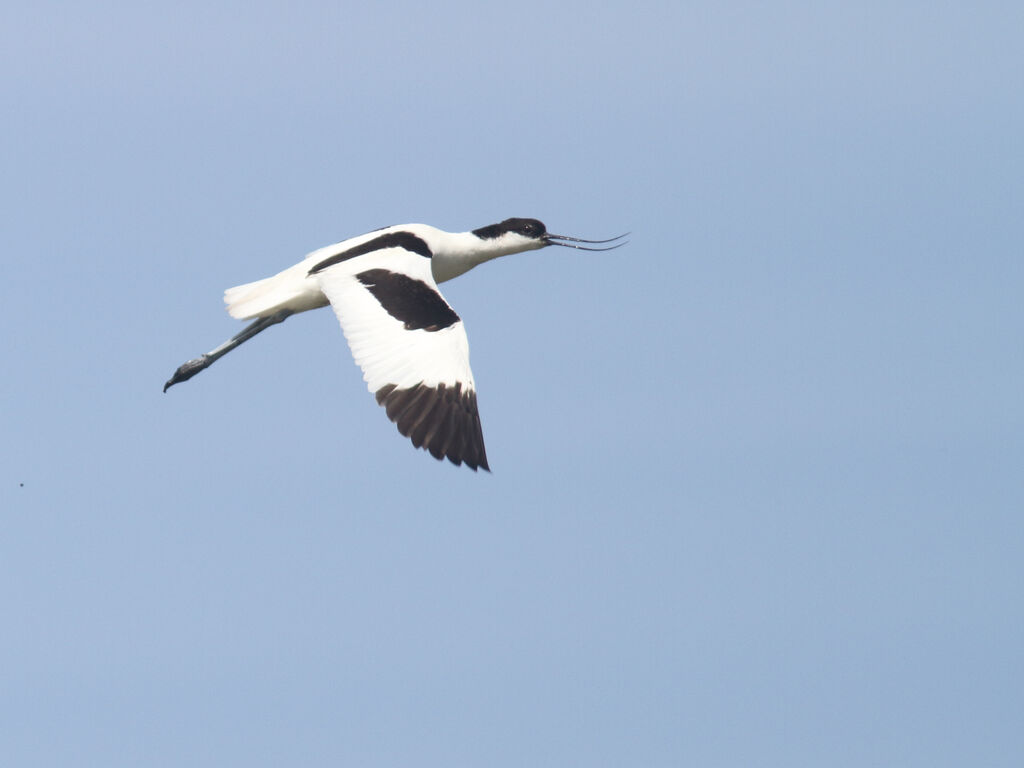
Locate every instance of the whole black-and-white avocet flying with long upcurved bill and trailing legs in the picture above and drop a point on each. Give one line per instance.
(409, 343)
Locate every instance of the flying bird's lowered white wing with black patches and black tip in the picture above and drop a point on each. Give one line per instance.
(411, 346)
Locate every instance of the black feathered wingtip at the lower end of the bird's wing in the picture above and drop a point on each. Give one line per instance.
(442, 419)
